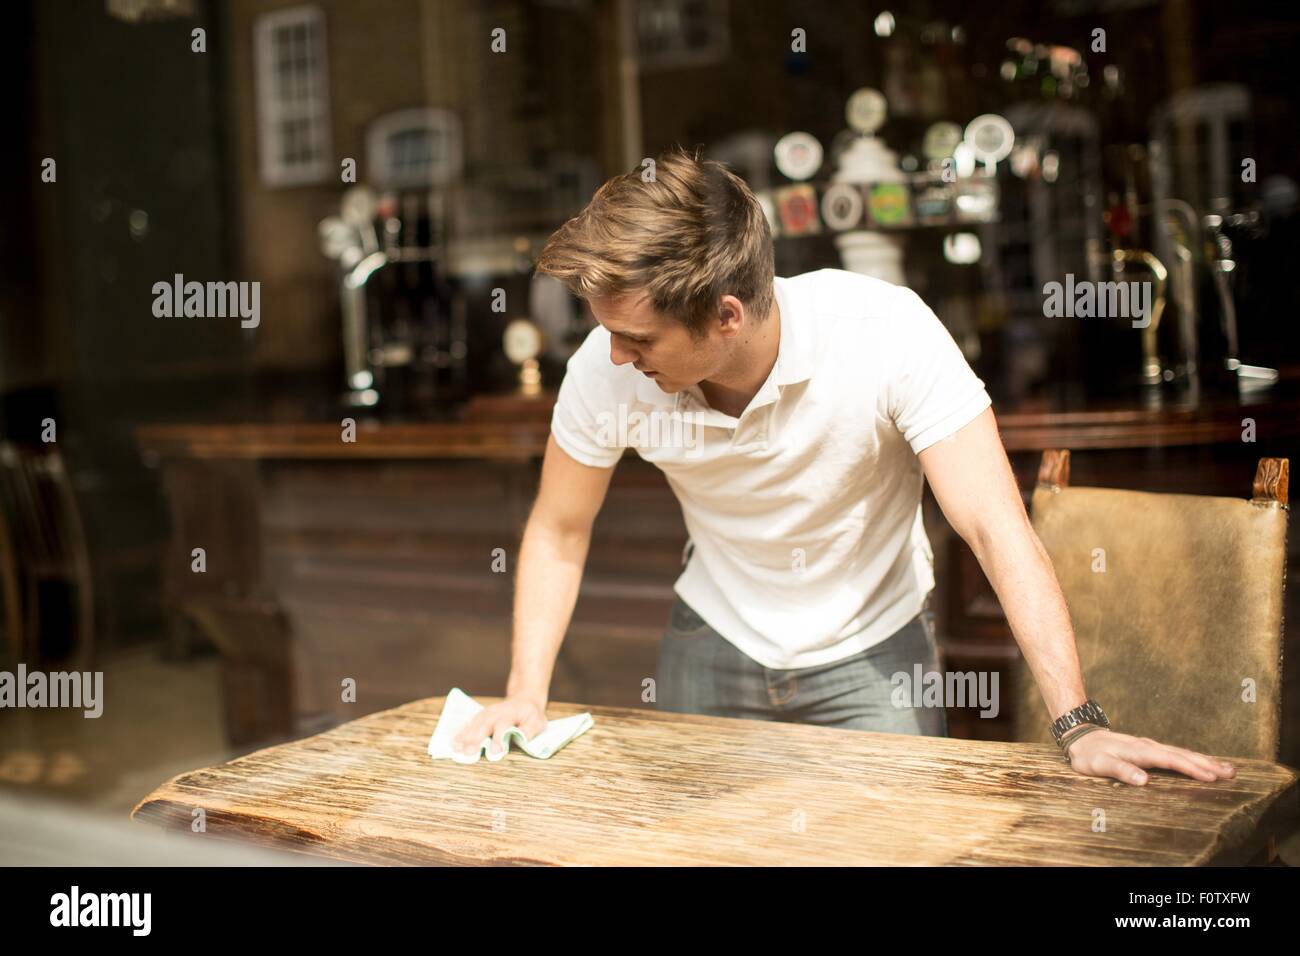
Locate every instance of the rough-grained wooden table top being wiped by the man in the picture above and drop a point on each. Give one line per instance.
(644, 788)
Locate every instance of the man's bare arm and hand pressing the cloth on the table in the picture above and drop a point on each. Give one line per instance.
(551, 570)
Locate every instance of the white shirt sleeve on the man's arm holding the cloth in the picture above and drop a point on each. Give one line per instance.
(586, 412)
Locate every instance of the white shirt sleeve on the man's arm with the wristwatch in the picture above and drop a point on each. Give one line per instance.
(933, 392)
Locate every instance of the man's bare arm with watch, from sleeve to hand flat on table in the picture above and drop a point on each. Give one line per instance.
(974, 486)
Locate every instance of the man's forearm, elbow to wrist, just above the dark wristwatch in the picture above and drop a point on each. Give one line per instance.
(1022, 576)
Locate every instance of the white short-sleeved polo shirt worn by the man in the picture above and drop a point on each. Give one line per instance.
(805, 512)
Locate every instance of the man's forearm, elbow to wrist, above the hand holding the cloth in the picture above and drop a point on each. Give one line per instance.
(551, 572)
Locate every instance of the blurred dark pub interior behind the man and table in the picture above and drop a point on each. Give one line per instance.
(233, 517)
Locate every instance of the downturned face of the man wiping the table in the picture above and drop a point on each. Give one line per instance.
(657, 345)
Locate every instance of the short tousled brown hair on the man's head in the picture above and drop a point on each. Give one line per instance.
(687, 239)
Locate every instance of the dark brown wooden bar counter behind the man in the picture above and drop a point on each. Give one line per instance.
(374, 560)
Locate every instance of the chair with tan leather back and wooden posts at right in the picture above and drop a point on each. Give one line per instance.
(1177, 609)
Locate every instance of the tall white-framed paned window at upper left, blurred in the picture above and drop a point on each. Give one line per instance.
(293, 97)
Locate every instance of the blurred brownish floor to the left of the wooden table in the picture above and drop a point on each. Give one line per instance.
(161, 719)
